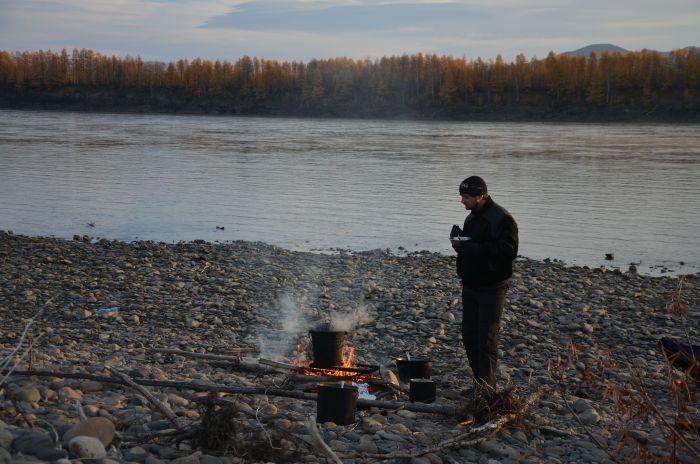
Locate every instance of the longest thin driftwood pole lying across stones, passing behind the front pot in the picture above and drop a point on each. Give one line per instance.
(179, 385)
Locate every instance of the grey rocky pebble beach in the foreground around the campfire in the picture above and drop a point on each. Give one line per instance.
(582, 344)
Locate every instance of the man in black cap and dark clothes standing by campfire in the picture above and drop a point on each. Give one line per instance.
(484, 263)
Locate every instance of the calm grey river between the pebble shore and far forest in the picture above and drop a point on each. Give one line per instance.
(577, 191)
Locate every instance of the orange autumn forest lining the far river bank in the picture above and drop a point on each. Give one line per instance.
(644, 85)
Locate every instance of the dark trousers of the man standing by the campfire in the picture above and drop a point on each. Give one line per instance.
(481, 322)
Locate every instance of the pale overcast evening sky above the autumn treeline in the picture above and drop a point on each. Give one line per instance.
(167, 30)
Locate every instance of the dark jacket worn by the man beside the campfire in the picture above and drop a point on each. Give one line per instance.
(487, 259)
